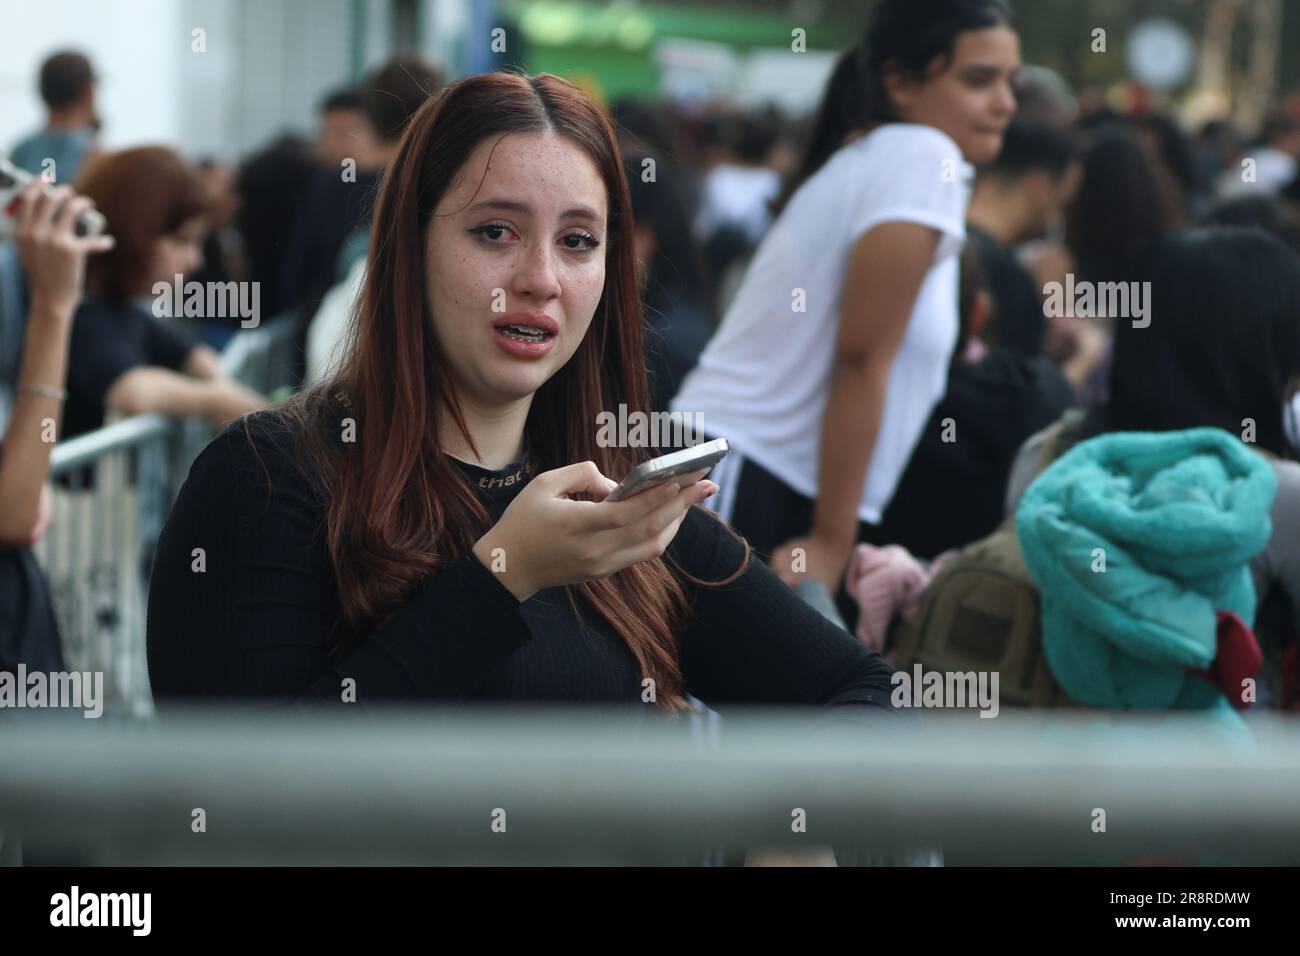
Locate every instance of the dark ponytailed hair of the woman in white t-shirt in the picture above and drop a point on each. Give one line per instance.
(907, 36)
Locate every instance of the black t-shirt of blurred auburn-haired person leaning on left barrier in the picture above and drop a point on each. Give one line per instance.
(109, 341)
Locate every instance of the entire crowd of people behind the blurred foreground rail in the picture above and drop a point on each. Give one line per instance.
(861, 304)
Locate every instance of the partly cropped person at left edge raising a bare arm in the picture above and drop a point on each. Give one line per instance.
(54, 261)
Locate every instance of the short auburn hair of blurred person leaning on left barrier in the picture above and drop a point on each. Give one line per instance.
(145, 194)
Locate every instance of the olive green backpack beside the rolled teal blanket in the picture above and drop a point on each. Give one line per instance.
(981, 612)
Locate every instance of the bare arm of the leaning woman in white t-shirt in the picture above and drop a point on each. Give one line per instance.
(882, 282)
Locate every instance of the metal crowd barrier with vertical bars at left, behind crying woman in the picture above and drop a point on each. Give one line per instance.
(114, 490)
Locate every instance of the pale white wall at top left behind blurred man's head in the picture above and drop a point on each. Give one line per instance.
(267, 66)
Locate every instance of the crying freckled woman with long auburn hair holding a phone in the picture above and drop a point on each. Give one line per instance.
(430, 522)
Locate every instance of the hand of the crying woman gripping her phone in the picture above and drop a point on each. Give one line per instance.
(549, 540)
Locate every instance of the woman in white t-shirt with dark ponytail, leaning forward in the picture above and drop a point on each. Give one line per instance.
(838, 344)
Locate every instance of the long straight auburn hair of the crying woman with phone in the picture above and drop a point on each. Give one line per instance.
(397, 509)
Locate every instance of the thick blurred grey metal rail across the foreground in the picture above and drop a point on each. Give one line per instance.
(231, 786)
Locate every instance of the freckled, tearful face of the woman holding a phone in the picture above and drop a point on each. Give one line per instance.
(521, 233)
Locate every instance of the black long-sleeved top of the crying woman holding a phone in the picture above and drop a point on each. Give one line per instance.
(254, 624)
